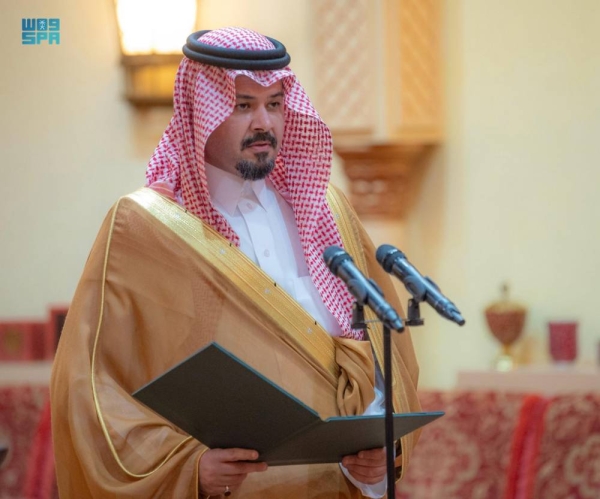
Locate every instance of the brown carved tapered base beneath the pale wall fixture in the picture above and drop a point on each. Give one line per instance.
(380, 176)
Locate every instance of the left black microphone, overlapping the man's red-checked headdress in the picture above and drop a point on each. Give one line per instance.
(364, 290)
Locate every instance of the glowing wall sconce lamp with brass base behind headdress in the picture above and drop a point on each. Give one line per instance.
(151, 34)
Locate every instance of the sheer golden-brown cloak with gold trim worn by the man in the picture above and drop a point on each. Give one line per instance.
(158, 285)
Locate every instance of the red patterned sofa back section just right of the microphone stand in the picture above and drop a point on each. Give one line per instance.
(471, 452)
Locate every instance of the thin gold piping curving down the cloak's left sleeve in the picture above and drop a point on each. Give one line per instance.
(93, 368)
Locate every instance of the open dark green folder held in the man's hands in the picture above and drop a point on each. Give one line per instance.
(222, 402)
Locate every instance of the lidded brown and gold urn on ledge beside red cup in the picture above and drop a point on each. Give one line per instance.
(506, 320)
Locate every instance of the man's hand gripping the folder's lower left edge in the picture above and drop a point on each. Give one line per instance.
(224, 469)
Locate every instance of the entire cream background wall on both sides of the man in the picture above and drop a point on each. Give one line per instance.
(509, 197)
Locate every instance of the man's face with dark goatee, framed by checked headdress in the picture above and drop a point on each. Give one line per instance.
(247, 142)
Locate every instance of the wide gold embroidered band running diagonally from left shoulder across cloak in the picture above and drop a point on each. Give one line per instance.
(301, 329)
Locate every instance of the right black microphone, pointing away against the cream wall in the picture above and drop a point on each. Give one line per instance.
(422, 288)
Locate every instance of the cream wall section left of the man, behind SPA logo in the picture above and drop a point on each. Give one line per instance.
(68, 149)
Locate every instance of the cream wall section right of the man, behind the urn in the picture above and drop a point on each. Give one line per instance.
(514, 193)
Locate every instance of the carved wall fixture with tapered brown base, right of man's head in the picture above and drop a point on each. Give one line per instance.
(377, 64)
